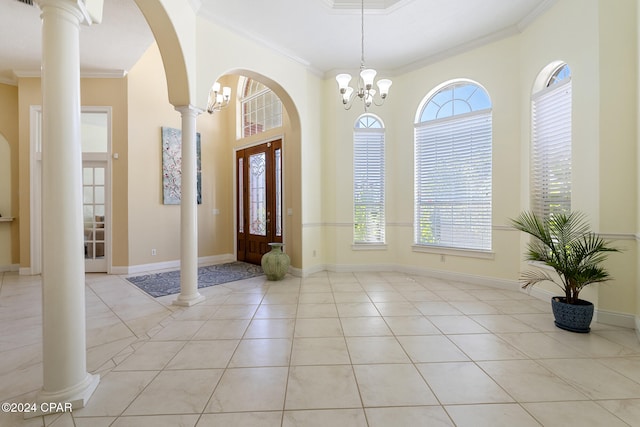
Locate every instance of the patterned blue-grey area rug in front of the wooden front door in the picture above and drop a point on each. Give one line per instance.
(161, 284)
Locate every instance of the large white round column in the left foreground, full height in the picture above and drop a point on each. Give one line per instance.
(65, 377)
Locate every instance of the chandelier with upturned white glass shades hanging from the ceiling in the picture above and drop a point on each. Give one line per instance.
(364, 90)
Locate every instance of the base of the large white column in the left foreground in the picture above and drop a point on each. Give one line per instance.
(65, 400)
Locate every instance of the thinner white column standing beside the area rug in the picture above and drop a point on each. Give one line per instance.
(189, 294)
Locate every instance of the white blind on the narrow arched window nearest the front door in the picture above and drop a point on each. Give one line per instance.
(368, 186)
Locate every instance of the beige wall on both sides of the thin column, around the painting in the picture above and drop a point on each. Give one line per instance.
(152, 224)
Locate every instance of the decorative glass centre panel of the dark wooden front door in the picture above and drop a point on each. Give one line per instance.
(257, 194)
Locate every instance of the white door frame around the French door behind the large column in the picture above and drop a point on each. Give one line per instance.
(35, 190)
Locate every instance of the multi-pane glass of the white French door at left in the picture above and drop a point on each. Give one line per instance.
(93, 209)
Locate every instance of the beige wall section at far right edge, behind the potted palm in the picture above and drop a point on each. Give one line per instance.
(618, 130)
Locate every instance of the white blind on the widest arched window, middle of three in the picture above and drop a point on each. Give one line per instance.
(453, 181)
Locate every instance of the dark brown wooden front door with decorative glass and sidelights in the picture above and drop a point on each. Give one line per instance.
(259, 176)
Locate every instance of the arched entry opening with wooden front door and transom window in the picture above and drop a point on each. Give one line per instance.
(260, 140)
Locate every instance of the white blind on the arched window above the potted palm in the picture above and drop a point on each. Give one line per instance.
(551, 150)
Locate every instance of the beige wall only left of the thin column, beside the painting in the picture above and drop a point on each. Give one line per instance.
(152, 225)
